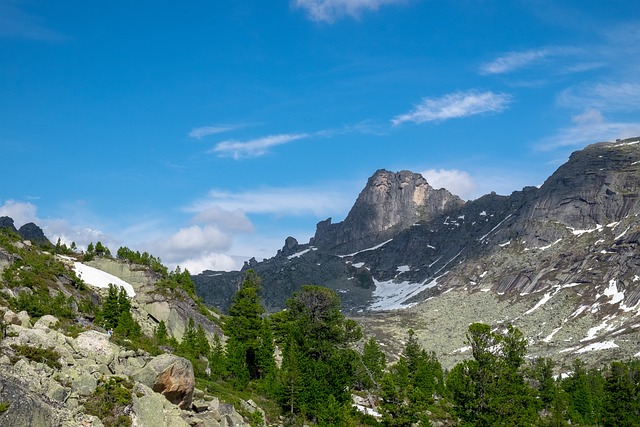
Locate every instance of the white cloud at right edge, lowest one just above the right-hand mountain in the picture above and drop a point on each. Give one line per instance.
(588, 127)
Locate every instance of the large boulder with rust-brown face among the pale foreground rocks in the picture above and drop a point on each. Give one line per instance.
(170, 375)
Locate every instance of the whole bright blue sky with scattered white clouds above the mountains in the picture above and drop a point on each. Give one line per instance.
(208, 132)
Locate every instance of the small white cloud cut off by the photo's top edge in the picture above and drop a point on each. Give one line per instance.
(330, 10)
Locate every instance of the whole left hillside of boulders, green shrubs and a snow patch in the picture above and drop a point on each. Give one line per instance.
(59, 371)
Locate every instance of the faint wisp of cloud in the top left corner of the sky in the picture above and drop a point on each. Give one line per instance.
(14, 22)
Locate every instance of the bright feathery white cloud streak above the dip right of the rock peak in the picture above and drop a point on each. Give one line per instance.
(458, 104)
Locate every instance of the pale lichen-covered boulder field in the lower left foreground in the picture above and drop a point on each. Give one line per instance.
(44, 392)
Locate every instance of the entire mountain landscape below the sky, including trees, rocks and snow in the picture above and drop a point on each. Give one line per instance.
(419, 309)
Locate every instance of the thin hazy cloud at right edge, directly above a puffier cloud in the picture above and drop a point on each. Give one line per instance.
(622, 96)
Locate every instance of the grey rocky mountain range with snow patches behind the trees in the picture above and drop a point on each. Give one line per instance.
(560, 261)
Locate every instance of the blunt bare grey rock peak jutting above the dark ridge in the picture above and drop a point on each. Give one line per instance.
(388, 203)
